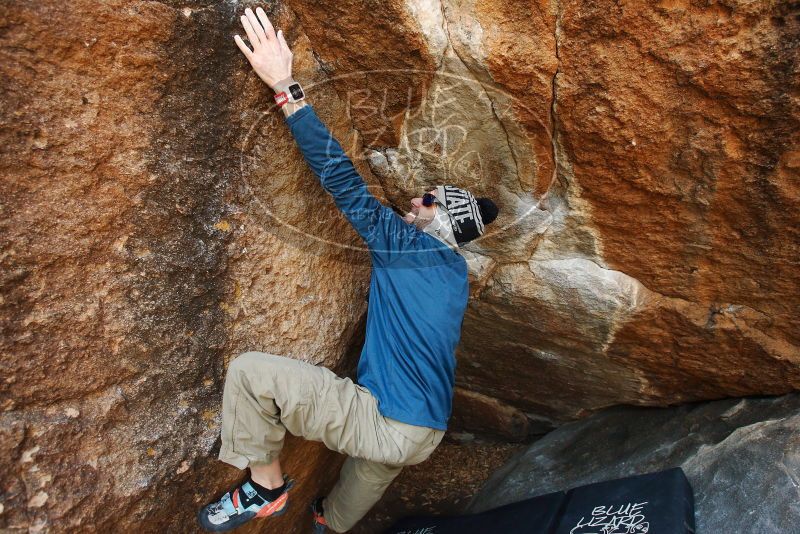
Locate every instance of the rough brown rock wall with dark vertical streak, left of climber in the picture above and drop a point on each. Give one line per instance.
(137, 259)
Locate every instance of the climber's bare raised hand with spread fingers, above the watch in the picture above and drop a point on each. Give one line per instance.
(270, 57)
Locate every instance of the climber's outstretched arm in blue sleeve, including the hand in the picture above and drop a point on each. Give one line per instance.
(383, 230)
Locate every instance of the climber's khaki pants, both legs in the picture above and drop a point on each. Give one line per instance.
(266, 395)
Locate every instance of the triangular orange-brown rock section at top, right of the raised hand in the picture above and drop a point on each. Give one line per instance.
(393, 51)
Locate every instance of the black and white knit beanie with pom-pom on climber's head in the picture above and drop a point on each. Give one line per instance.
(468, 215)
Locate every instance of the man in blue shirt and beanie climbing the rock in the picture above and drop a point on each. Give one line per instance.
(397, 412)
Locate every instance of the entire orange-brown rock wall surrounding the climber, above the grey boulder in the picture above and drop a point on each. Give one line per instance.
(157, 221)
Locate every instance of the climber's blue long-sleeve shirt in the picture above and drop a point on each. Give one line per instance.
(418, 290)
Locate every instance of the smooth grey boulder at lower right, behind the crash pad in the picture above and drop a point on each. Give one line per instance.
(741, 456)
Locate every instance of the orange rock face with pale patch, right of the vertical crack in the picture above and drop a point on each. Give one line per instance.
(668, 273)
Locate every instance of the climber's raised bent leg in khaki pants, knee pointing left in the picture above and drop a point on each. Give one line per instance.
(266, 395)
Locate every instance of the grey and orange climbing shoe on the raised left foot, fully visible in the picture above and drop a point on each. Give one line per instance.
(241, 504)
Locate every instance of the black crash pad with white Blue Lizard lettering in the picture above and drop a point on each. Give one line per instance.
(654, 503)
